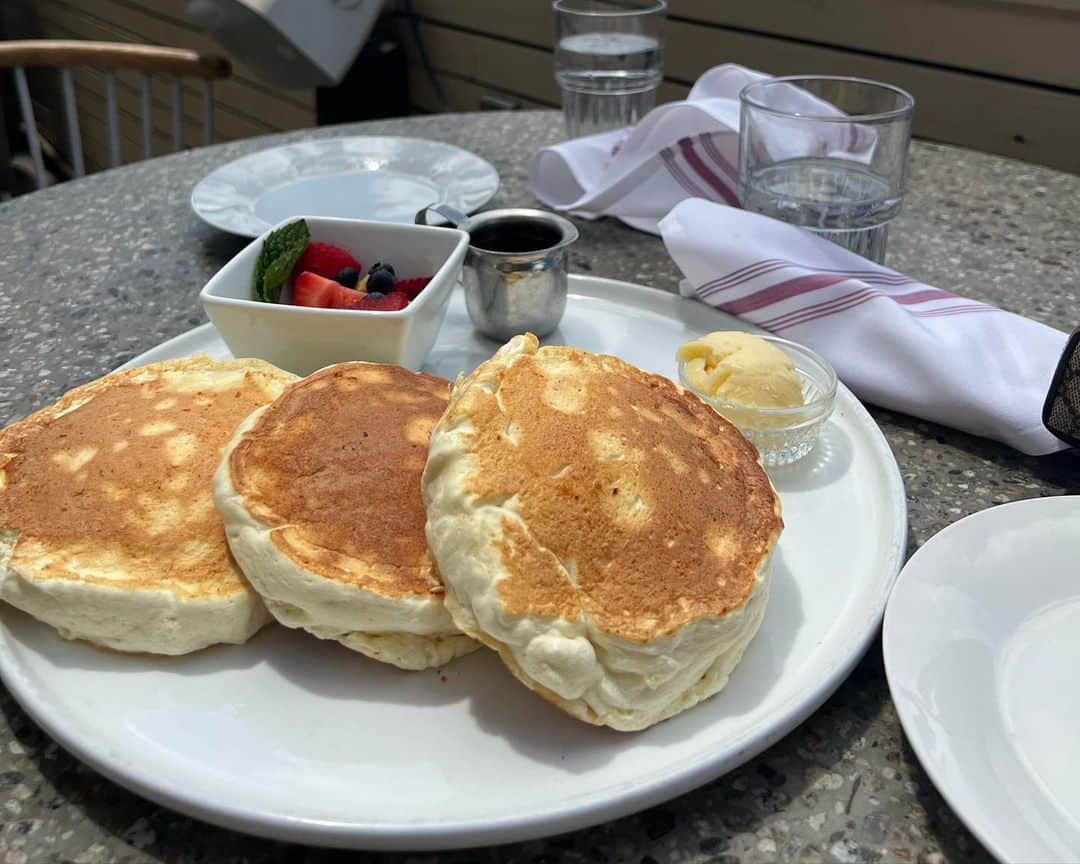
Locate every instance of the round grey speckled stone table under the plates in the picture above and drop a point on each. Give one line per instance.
(94, 273)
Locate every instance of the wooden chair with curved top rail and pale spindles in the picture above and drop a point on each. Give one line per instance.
(111, 57)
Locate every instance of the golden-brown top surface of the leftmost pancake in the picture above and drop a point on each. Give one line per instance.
(113, 484)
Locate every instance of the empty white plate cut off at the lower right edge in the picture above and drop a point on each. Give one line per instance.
(982, 651)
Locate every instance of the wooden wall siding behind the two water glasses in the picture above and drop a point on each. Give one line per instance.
(1002, 76)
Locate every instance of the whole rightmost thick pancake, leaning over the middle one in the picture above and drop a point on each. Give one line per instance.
(607, 533)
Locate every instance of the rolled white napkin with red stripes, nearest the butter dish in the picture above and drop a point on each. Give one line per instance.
(896, 342)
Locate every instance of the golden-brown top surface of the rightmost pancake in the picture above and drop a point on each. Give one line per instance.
(640, 506)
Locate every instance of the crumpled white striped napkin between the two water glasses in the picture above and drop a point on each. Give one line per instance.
(679, 151)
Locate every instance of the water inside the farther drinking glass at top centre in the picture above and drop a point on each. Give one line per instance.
(609, 79)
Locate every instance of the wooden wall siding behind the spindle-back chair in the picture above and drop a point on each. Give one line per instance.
(245, 106)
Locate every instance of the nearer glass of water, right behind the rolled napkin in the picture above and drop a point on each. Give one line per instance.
(828, 154)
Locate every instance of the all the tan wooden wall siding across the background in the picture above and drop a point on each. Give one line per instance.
(995, 75)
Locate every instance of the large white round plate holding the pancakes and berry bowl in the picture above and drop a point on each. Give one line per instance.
(303, 740)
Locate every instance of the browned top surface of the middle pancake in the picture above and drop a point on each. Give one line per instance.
(334, 467)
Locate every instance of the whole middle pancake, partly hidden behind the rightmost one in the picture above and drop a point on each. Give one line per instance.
(320, 494)
